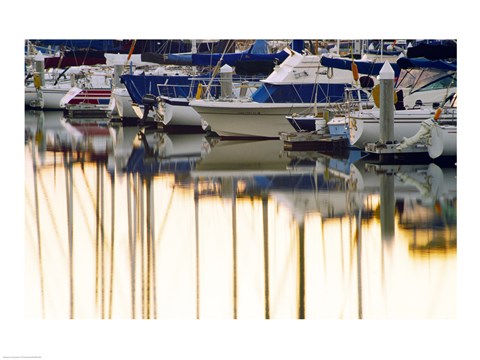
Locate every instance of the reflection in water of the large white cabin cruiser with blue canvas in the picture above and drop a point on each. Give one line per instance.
(304, 186)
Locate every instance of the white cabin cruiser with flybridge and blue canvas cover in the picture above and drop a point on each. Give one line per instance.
(290, 88)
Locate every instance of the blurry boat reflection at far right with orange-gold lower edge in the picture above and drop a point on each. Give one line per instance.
(424, 197)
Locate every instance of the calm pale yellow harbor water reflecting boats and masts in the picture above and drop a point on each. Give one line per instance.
(146, 225)
